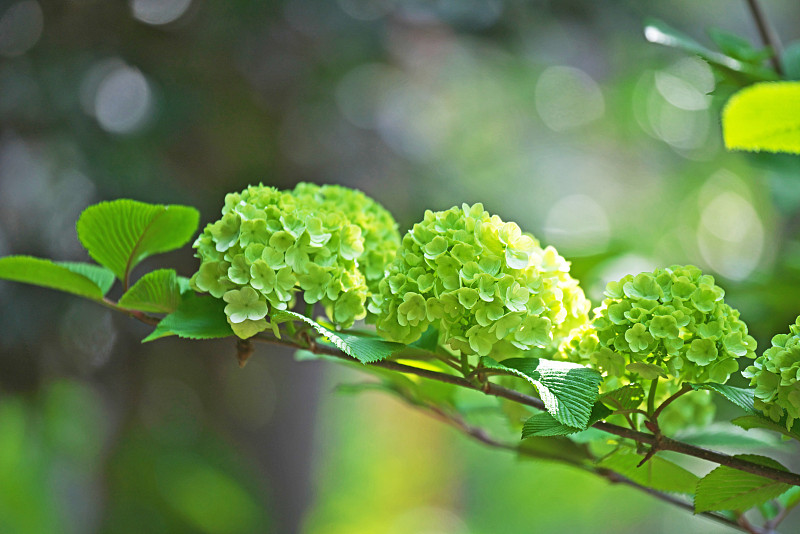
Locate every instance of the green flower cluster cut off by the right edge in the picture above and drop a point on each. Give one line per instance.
(776, 375)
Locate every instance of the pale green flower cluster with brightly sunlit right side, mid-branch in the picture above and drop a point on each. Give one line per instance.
(488, 287)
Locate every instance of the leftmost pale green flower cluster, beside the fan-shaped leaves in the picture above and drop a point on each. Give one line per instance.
(271, 244)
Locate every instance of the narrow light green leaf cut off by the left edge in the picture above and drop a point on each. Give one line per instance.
(46, 273)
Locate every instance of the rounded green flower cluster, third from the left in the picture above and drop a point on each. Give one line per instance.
(671, 322)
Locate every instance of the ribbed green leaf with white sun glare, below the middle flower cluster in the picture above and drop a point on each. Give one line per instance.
(567, 389)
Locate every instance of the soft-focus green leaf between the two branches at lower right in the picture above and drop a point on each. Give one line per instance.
(656, 473)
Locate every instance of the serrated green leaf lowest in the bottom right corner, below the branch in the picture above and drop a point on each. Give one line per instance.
(726, 488)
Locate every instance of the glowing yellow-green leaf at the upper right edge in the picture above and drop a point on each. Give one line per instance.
(764, 116)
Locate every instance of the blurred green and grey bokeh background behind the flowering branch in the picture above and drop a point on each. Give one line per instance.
(556, 115)
